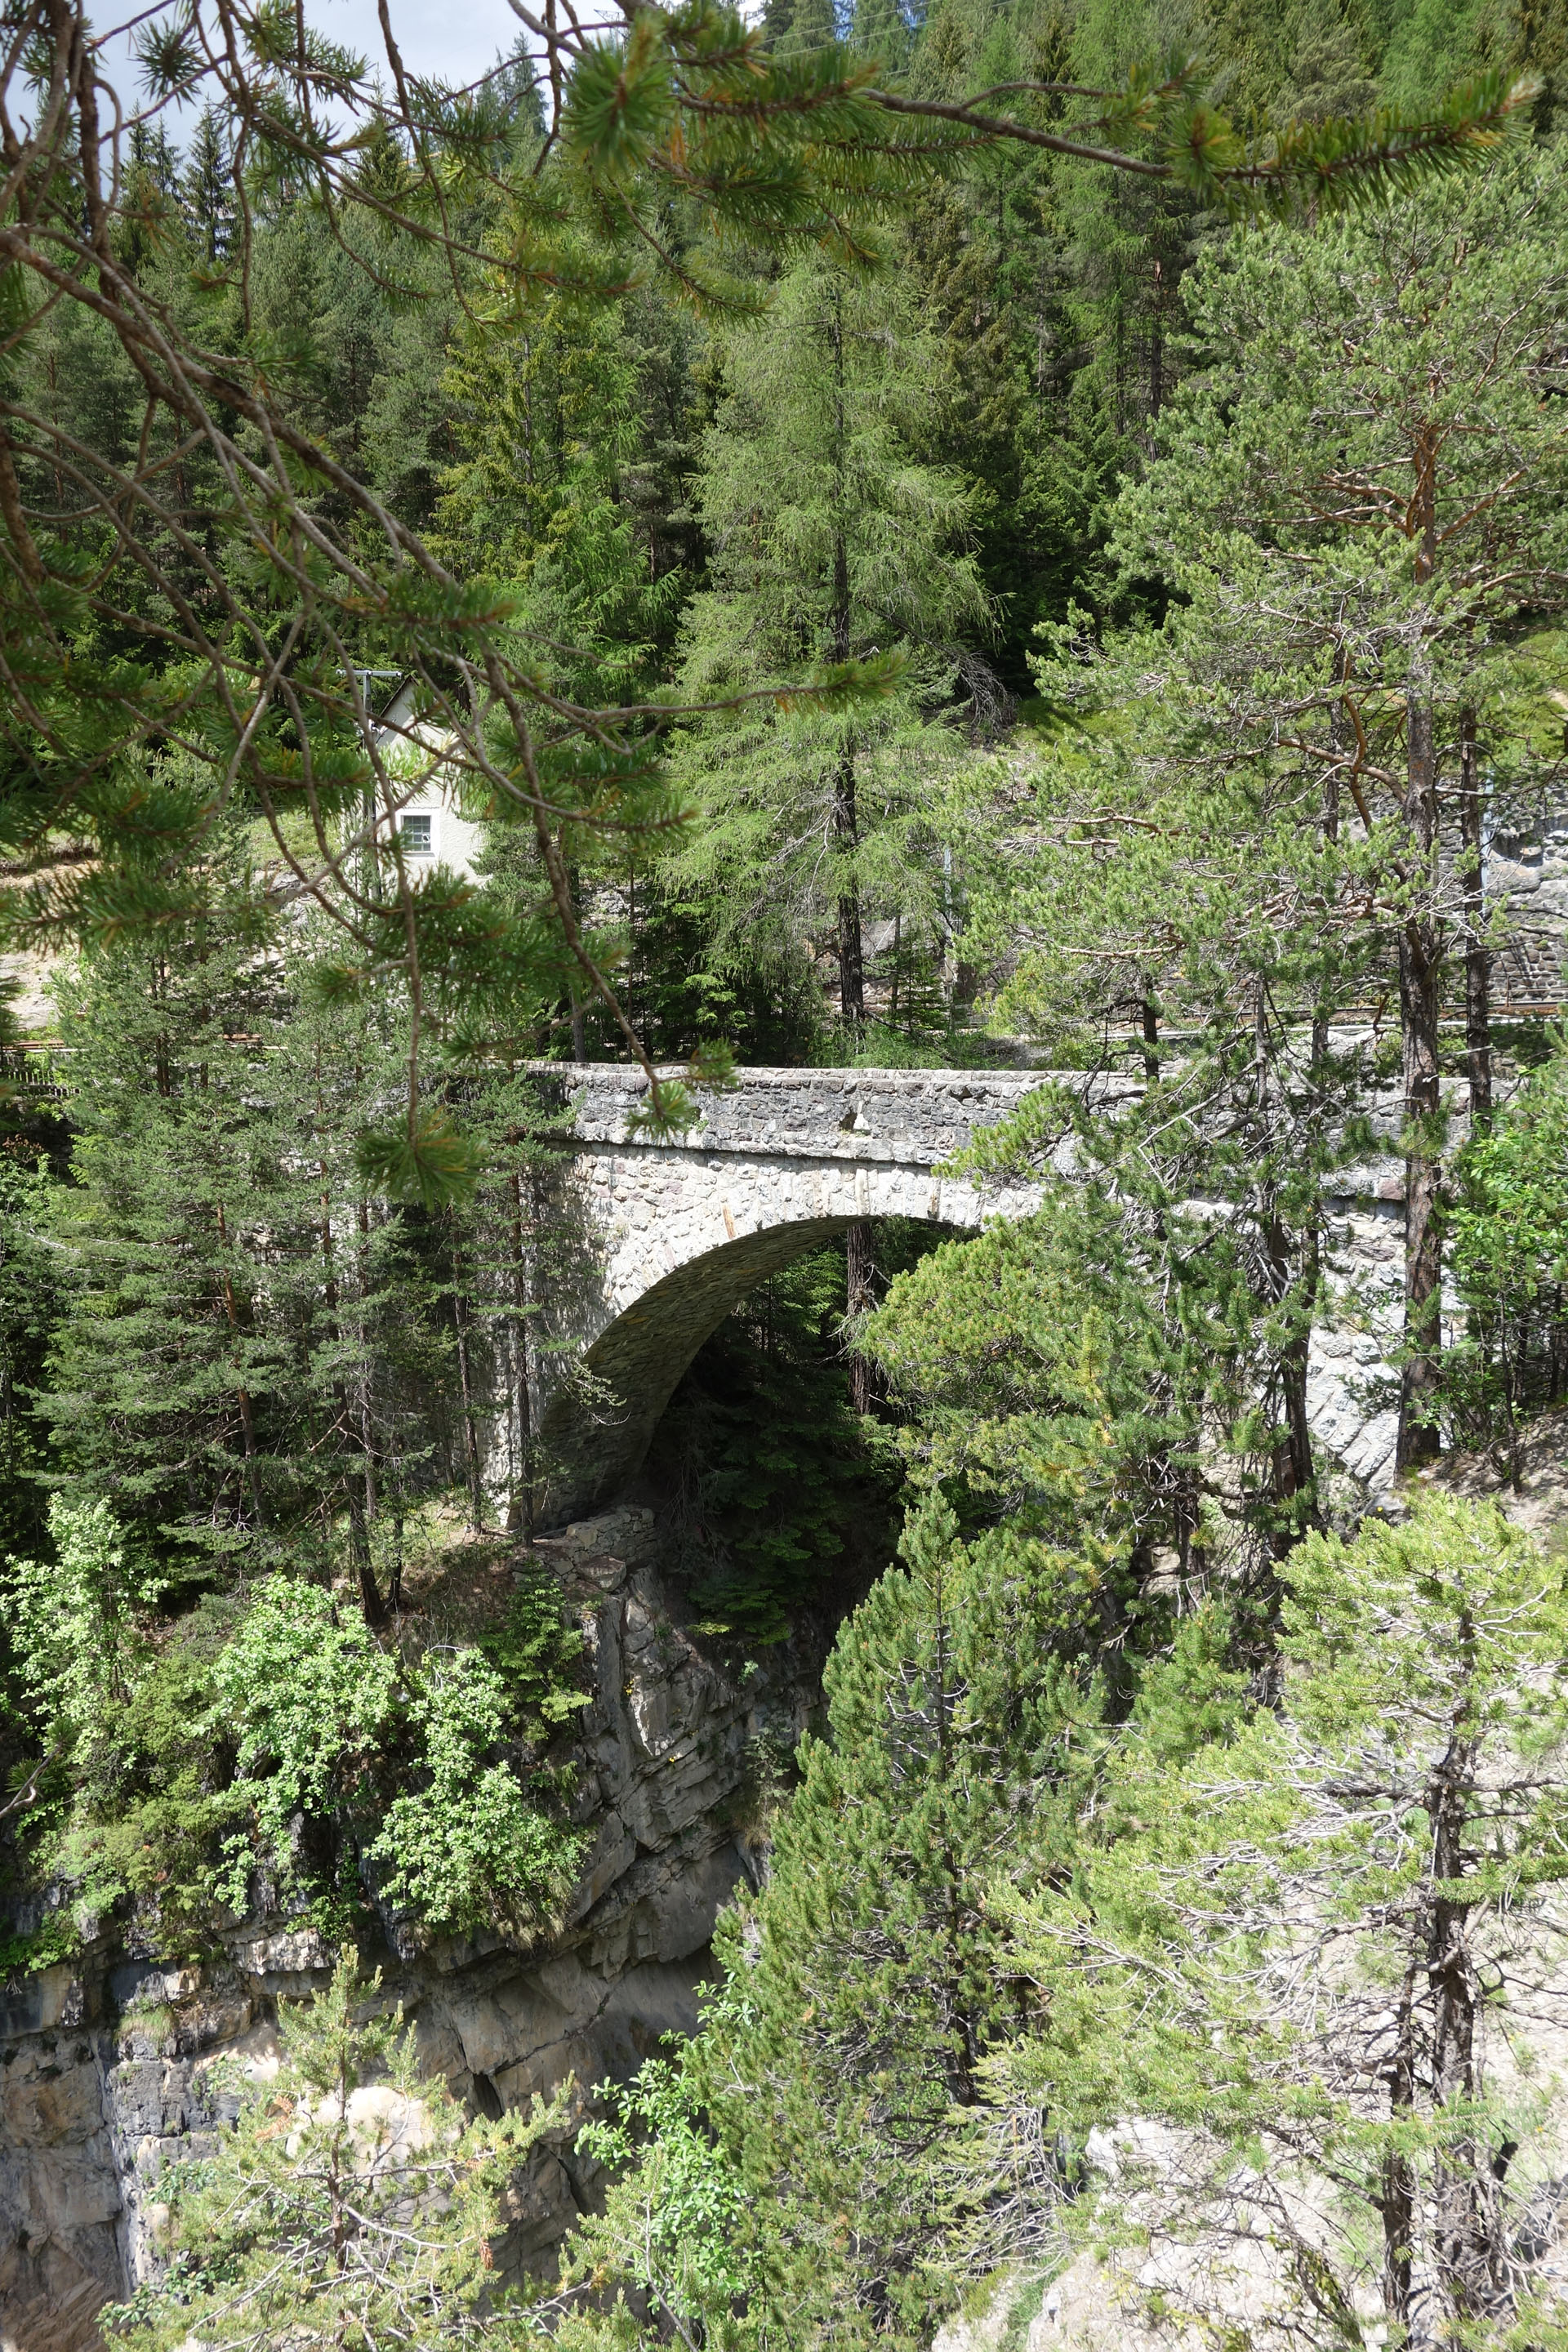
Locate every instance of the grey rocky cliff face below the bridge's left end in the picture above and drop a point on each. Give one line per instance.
(107, 2066)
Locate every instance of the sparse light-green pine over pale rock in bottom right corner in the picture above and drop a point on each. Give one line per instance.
(1296, 1956)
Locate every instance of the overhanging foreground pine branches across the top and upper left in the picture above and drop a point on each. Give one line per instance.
(307, 577)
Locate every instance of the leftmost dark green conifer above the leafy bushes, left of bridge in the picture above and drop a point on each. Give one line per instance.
(163, 1384)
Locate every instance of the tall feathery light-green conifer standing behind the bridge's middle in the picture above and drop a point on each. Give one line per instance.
(829, 542)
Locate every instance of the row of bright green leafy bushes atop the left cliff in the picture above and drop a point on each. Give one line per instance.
(180, 1758)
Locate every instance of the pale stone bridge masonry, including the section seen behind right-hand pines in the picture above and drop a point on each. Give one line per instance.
(676, 1229)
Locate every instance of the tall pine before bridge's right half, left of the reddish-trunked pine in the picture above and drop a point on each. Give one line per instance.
(1191, 926)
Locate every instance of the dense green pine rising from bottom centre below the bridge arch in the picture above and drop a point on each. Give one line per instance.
(866, 1986)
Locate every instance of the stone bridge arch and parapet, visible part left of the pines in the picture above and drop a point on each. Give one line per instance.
(676, 1231)
